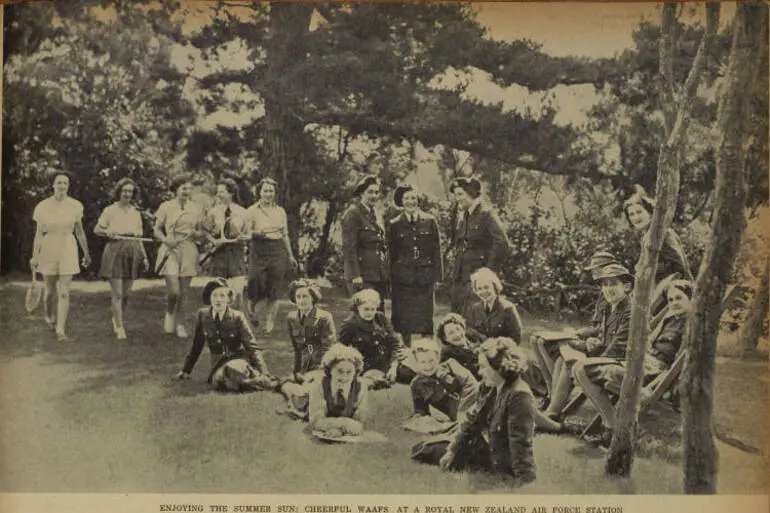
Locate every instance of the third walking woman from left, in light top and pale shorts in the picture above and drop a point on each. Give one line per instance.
(177, 226)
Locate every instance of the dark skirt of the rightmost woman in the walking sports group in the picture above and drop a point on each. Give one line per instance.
(268, 263)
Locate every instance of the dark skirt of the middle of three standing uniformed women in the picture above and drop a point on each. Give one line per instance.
(412, 308)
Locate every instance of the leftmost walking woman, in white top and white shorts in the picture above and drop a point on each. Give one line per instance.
(55, 249)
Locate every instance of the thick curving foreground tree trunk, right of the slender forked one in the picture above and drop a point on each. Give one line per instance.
(700, 452)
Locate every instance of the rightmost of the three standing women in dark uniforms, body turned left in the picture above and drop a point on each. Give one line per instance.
(479, 241)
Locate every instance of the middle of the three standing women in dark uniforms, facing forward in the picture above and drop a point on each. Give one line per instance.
(415, 265)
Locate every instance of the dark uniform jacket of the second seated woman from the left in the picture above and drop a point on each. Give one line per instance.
(310, 337)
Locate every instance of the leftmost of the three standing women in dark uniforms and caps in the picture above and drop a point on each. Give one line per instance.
(364, 247)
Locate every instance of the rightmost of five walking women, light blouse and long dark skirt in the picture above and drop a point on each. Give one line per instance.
(270, 254)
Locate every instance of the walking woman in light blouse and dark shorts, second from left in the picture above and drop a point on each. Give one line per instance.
(121, 257)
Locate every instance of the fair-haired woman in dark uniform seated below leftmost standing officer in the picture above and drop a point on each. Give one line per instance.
(371, 334)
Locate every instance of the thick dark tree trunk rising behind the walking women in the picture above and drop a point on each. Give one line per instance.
(284, 153)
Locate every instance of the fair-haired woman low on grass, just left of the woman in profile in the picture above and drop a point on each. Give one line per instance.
(445, 385)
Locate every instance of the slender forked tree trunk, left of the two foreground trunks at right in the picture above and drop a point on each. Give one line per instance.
(621, 455)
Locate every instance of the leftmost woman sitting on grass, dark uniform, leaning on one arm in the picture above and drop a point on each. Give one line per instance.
(237, 363)
